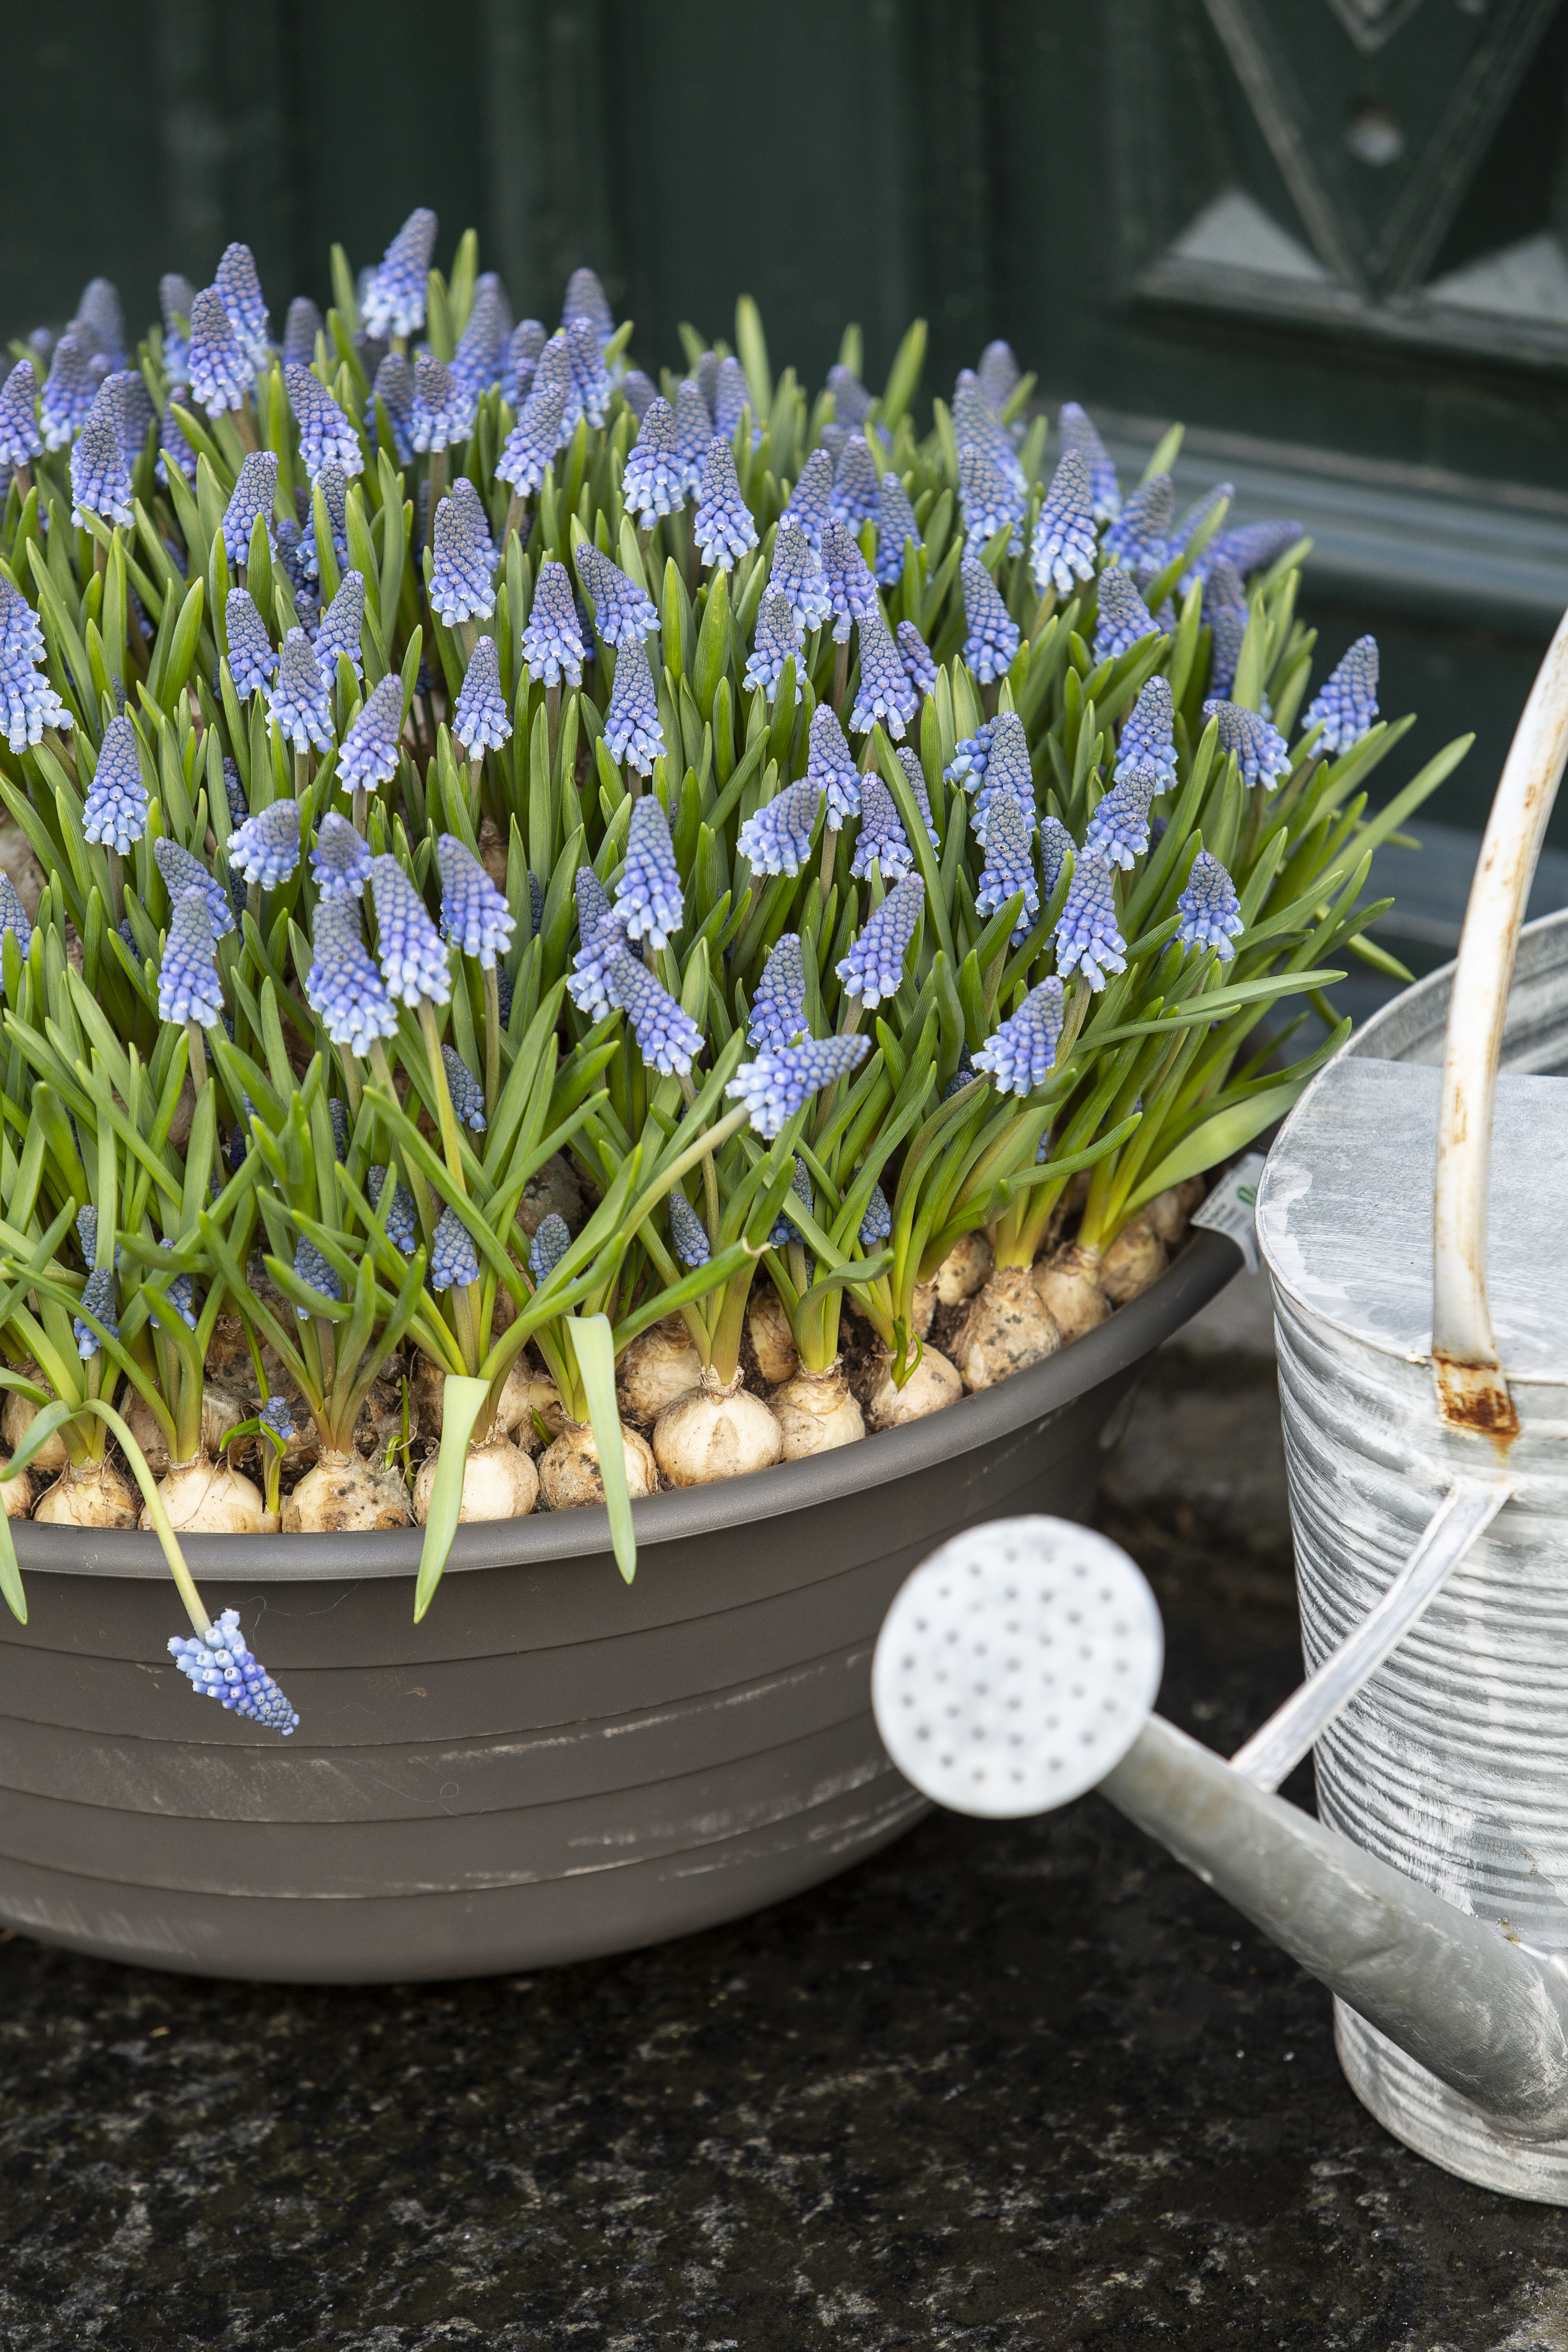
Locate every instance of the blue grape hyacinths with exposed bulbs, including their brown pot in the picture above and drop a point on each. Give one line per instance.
(587, 961)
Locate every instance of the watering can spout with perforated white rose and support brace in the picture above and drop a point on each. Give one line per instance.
(1019, 1669)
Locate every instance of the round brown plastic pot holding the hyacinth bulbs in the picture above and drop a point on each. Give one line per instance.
(554, 1765)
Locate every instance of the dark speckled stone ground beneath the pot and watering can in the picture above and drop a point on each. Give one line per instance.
(1005, 2087)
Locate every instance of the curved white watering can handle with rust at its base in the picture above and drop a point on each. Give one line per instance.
(1466, 1370)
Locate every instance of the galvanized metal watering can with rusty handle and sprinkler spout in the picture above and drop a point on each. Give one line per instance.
(1423, 1361)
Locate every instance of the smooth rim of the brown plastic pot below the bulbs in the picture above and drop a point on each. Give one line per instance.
(1202, 1269)
